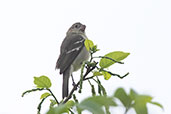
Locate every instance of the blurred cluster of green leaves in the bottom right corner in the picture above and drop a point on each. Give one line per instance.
(135, 100)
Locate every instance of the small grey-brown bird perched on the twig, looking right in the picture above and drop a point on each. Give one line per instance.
(72, 54)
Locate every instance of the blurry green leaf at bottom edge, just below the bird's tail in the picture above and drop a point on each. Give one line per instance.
(62, 108)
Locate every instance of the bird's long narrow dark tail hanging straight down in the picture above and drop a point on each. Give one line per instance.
(65, 84)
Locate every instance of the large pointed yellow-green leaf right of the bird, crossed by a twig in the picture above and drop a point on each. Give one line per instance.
(117, 56)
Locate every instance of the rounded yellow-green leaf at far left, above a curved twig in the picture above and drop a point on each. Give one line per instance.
(42, 82)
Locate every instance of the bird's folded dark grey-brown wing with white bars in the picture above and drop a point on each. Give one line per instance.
(70, 48)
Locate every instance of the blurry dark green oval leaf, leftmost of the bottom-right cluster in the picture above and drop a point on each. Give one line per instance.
(123, 97)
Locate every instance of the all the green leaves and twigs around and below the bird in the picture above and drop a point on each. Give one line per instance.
(99, 102)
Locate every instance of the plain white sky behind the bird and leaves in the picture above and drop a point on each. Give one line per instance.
(31, 32)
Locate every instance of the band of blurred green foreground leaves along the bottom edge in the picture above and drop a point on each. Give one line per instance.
(96, 104)
